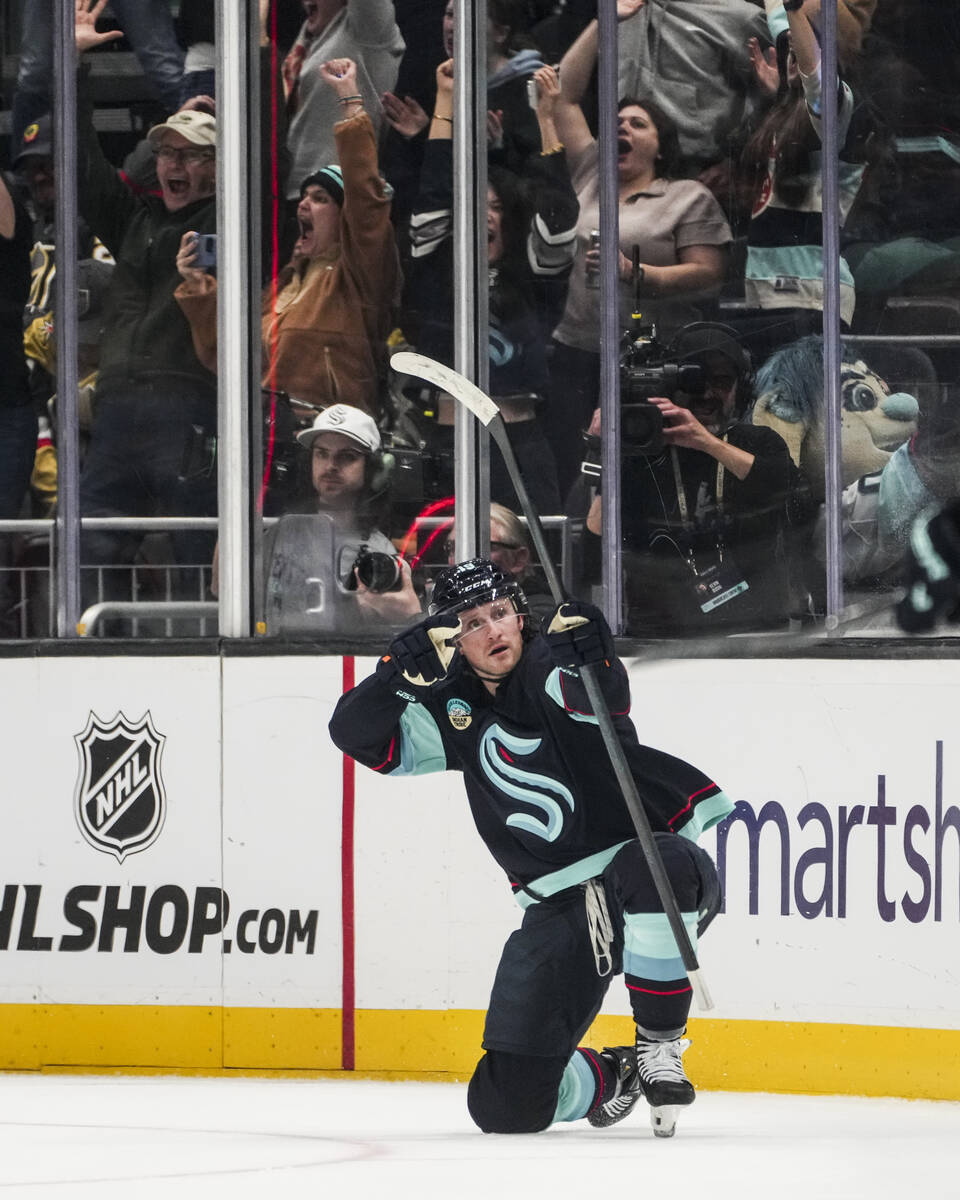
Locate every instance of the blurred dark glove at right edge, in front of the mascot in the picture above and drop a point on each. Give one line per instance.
(933, 572)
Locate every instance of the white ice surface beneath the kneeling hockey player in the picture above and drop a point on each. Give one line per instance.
(142, 1138)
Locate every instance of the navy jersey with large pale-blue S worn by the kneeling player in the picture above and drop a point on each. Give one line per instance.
(539, 781)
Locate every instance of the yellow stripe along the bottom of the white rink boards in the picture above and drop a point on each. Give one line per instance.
(759, 1057)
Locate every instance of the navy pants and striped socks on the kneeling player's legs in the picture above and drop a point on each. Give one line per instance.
(550, 987)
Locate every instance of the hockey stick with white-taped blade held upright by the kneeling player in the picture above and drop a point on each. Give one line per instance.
(489, 416)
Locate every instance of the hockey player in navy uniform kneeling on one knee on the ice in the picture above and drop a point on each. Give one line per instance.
(473, 688)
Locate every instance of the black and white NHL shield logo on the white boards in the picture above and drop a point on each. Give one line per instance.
(121, 803)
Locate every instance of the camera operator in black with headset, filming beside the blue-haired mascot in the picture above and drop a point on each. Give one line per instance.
(712, 507)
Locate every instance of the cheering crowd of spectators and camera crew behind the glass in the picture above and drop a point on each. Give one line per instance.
(721, 268)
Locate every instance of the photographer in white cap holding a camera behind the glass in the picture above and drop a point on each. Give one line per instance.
(329, 567)
